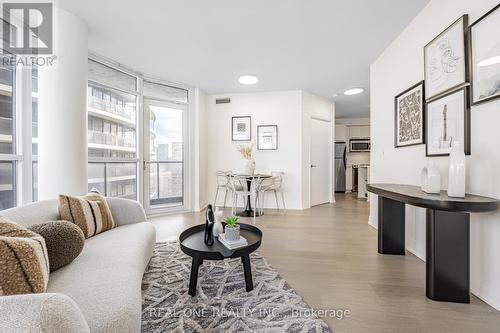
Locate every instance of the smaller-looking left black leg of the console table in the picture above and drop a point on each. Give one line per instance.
(391, 226)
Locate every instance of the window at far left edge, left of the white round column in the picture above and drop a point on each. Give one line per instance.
(18, 123)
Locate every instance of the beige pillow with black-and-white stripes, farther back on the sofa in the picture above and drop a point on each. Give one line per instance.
(91, 213)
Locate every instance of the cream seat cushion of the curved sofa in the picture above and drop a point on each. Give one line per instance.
(105, 279)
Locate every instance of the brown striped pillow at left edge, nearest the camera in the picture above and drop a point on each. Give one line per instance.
(24, 263)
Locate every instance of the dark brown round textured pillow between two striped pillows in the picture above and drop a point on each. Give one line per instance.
(64, 241)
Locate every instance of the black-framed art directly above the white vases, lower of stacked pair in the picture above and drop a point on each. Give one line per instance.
(448, 122)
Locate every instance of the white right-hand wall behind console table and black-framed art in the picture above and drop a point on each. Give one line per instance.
(399, 67)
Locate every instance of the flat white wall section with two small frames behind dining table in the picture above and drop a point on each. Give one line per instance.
(272, 108)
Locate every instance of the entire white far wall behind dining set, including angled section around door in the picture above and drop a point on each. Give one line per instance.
(292, 112)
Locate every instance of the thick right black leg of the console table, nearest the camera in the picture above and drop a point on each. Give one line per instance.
(448, 256)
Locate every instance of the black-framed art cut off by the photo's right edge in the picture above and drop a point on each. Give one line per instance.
(485, 57)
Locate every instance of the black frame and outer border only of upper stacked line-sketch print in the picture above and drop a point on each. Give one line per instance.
(465, 22)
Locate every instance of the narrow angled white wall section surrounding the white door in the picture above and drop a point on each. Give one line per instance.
(315, 107)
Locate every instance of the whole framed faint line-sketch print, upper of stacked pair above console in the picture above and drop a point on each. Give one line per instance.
(446, 60)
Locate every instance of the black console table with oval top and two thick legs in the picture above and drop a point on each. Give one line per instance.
(447, 234)
